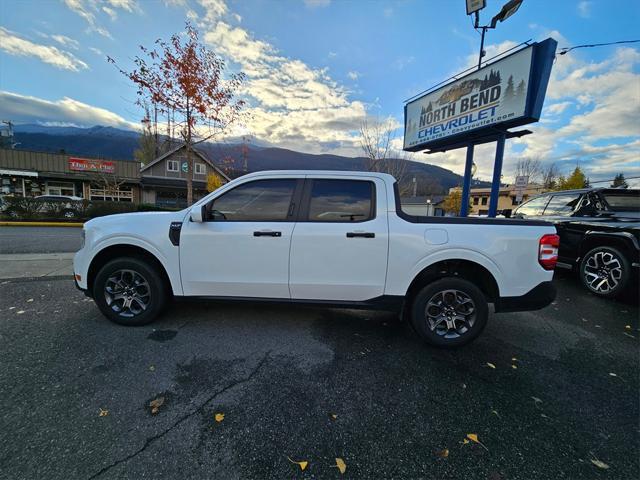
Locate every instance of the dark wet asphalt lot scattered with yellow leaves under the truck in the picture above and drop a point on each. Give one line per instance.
(549, 394)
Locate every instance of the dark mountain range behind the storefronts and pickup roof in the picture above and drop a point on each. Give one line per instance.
(114, 143)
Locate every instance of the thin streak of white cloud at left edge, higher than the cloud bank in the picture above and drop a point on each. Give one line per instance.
(12, 44)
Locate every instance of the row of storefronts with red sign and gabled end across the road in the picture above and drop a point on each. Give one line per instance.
(162, 182)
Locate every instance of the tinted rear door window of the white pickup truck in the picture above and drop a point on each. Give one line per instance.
(341, 201)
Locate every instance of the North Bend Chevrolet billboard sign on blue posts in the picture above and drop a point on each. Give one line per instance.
(503, 94)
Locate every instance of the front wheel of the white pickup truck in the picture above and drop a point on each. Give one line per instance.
(130, 291)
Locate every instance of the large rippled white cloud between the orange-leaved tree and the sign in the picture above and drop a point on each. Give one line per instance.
(291, 104)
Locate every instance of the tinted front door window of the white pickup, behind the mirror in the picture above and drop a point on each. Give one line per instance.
(258, 201)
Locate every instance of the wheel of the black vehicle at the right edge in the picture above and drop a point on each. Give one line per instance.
(605, 271)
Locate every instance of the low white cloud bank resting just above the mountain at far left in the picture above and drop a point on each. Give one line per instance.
(26, 109)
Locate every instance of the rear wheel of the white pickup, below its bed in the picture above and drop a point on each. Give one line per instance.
(449, 312)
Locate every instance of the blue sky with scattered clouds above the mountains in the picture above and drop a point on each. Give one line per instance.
(317, 68)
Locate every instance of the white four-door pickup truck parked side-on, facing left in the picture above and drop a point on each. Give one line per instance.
(338, 239)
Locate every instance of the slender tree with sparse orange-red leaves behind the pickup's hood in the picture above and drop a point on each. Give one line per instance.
(185, 77)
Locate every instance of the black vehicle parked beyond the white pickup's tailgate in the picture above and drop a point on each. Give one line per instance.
(599, 232)
